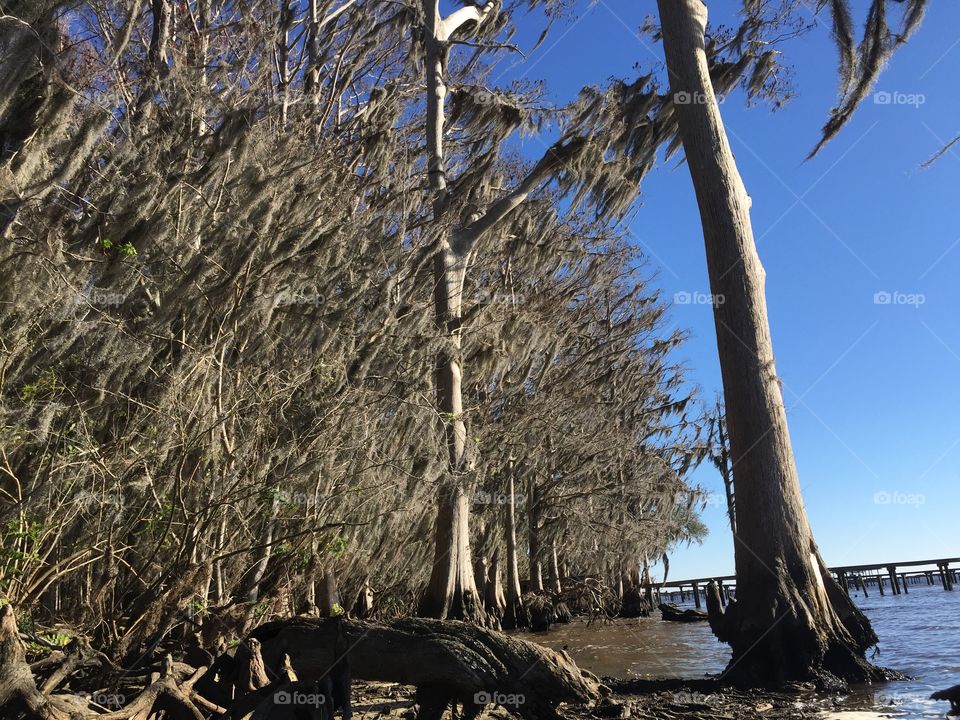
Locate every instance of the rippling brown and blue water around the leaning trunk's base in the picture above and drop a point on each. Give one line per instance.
(919, 635)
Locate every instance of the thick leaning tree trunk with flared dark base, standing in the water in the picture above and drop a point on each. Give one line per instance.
(790, 620)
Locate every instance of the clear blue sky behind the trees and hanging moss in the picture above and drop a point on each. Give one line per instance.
(871, 389)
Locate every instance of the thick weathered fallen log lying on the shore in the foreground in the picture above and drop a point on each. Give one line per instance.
(448, 662)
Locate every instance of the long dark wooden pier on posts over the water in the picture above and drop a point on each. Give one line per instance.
(897, 577)
